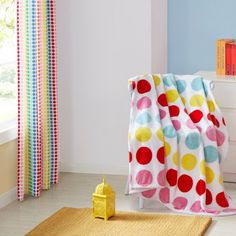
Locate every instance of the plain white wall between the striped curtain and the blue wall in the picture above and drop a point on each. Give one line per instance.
(101, 44)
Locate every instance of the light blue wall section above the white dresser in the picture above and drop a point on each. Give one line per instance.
(193, 27)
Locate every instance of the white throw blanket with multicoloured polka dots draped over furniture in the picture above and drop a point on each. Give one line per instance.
(177, 142)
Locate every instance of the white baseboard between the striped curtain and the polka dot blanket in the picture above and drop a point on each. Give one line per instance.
(93, 169)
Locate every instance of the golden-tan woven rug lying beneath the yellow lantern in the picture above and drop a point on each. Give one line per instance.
(73, 221)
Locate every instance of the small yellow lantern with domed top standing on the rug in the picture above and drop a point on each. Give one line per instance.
(104, 201)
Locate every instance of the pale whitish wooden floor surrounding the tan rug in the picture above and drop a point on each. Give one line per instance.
(75, 190)
